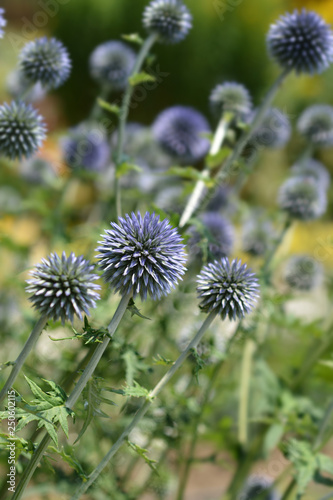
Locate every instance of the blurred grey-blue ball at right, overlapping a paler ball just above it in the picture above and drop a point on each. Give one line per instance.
(302, 198)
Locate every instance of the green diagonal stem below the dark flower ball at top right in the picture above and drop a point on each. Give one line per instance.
(258, 119)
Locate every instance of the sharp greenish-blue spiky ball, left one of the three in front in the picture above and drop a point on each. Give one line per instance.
(62, 287)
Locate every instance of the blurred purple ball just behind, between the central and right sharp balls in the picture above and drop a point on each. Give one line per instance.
(212, 238)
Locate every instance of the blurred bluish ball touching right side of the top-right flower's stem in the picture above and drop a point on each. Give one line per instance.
(274, 132)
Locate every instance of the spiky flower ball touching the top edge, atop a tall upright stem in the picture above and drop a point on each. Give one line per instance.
(169, 19)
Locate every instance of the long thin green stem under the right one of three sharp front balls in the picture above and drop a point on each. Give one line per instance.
(144, 408)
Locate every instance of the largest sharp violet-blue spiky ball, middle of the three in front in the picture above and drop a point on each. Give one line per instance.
(142, 255)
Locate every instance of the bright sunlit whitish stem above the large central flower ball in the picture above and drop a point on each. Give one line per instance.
(199, 189)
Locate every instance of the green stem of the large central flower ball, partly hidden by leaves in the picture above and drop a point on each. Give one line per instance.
(74, 396)
